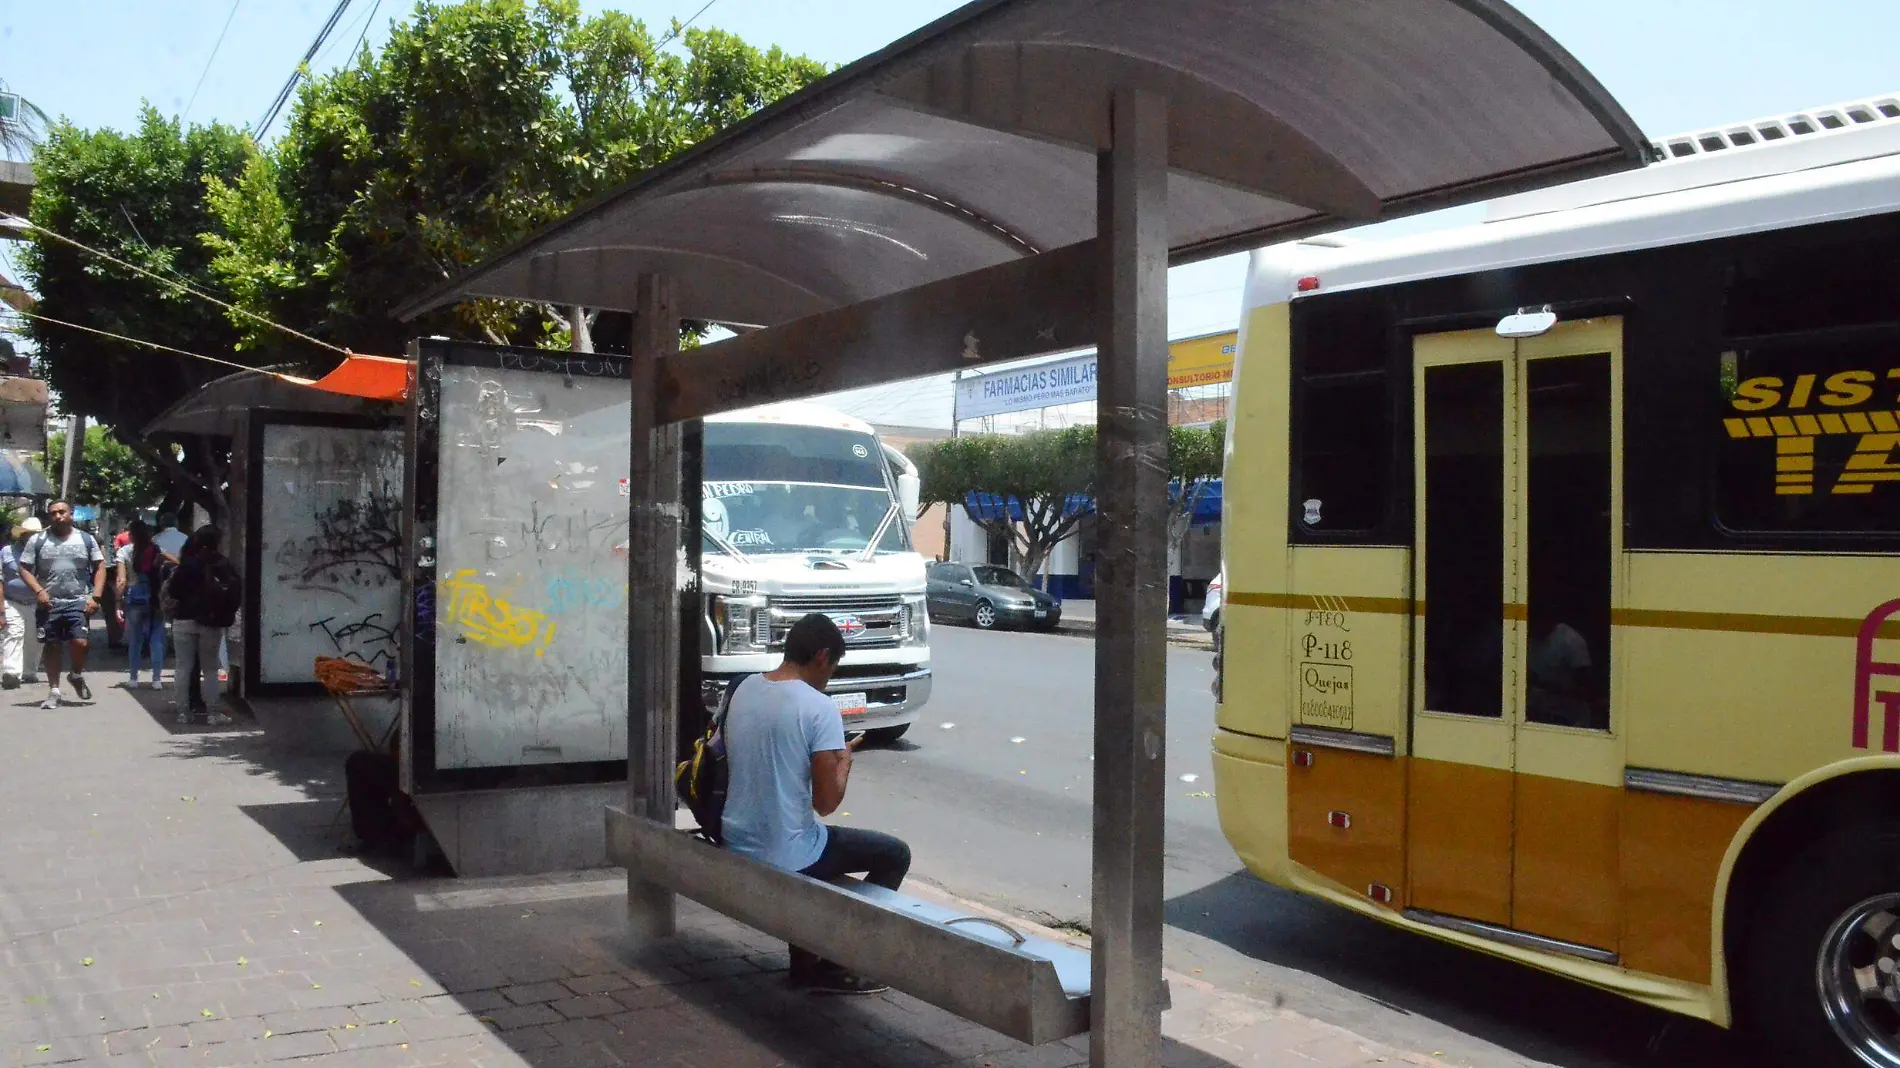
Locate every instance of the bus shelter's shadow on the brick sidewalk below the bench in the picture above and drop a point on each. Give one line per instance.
(546, 964)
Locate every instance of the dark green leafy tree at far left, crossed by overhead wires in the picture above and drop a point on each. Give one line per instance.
(142, 199)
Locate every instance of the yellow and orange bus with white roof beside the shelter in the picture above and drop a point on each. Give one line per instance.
(1563, 581)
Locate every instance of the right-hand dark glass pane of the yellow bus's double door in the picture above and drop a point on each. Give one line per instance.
(1568, 550)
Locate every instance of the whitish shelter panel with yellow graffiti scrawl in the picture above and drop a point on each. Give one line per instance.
(531, 603)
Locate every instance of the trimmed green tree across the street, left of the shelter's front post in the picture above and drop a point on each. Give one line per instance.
(1046, 478)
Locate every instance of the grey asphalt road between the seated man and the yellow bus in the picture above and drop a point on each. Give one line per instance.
(993, 791)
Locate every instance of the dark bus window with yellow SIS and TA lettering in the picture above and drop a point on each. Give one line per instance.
(1810, 436)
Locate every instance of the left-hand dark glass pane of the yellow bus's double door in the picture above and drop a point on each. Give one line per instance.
(1466, 539)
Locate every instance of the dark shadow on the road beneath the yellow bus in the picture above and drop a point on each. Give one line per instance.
(1519, 1008)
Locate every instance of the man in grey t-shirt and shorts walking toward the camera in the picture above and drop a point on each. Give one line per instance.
(67, 575)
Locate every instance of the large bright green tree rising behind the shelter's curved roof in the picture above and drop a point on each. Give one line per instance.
(476, 124)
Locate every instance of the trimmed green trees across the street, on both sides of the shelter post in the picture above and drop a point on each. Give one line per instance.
(1035, 489)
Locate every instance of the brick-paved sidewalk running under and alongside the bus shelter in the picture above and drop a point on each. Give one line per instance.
(174, 896)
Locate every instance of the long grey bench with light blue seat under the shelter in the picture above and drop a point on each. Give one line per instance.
(1031, 989)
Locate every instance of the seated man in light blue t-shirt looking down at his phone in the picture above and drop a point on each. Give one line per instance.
(789, 765)
